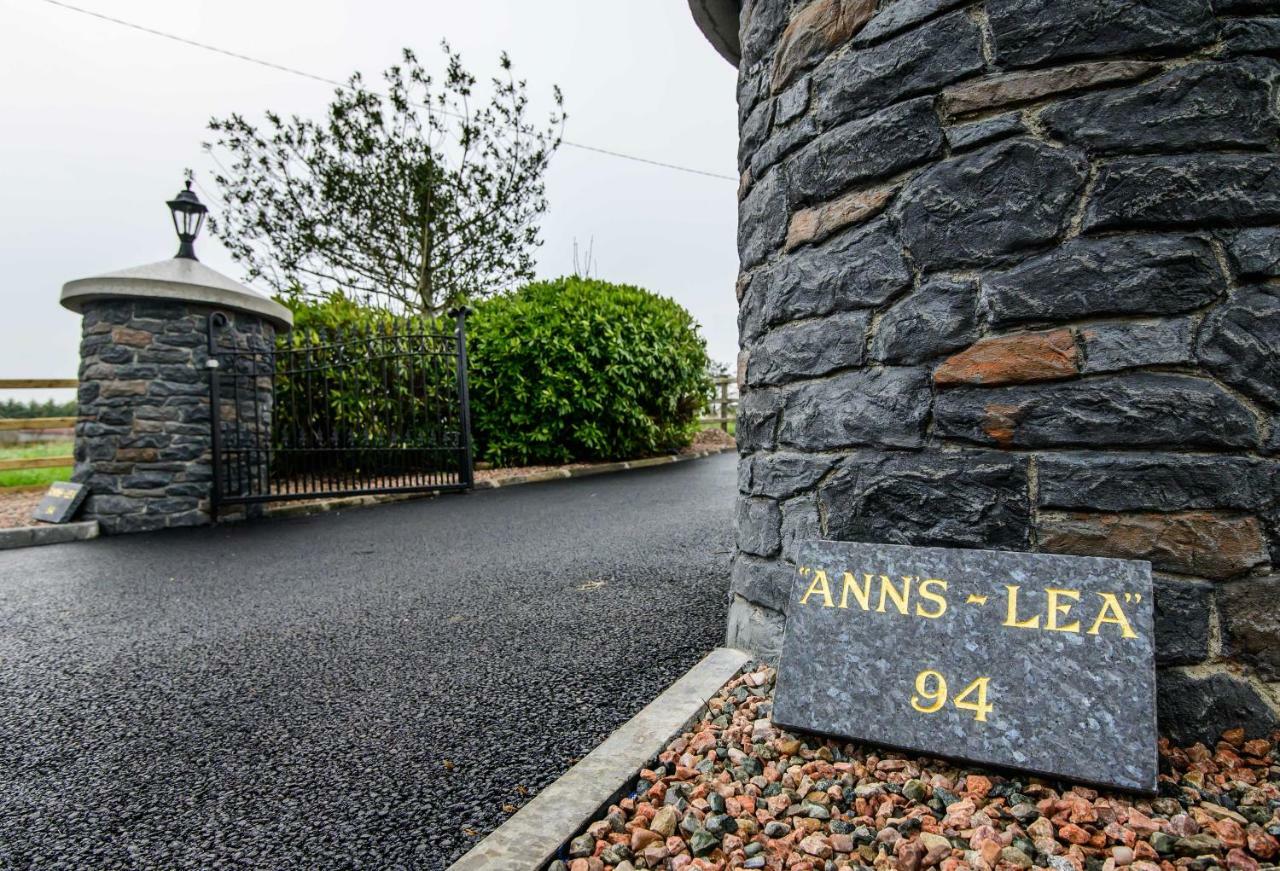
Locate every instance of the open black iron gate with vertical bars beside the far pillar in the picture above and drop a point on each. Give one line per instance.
(358, 413)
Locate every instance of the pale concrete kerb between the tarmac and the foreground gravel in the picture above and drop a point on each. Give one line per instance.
(534, 836)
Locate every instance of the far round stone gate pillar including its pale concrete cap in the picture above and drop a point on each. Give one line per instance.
(144, 439)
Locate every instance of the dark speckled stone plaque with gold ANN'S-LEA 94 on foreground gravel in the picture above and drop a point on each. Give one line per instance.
(1030, 662)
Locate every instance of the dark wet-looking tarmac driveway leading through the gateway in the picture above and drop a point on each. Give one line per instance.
(365, 688)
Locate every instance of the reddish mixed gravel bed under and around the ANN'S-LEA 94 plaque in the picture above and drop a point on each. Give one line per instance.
(739, 794)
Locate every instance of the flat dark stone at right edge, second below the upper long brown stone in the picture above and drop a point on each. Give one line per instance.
(1186, 190)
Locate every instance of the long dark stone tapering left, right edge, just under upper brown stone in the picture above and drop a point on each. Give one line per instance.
(1199, 107)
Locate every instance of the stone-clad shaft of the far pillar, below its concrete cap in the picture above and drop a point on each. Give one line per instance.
(143, 441)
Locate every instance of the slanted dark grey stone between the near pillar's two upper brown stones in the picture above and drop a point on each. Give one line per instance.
(918, 62)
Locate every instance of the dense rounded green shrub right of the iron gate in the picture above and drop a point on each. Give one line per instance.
(582, 370)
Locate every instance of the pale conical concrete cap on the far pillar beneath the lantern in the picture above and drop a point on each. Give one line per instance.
(181, 281)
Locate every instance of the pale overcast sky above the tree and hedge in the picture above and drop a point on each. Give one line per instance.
(100, 121)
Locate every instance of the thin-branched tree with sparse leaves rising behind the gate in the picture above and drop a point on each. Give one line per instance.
(412, 199)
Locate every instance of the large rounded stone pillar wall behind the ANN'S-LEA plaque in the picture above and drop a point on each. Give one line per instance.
(1011, 281)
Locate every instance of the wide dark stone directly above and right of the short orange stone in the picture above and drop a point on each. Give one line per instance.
(1121, 276)
